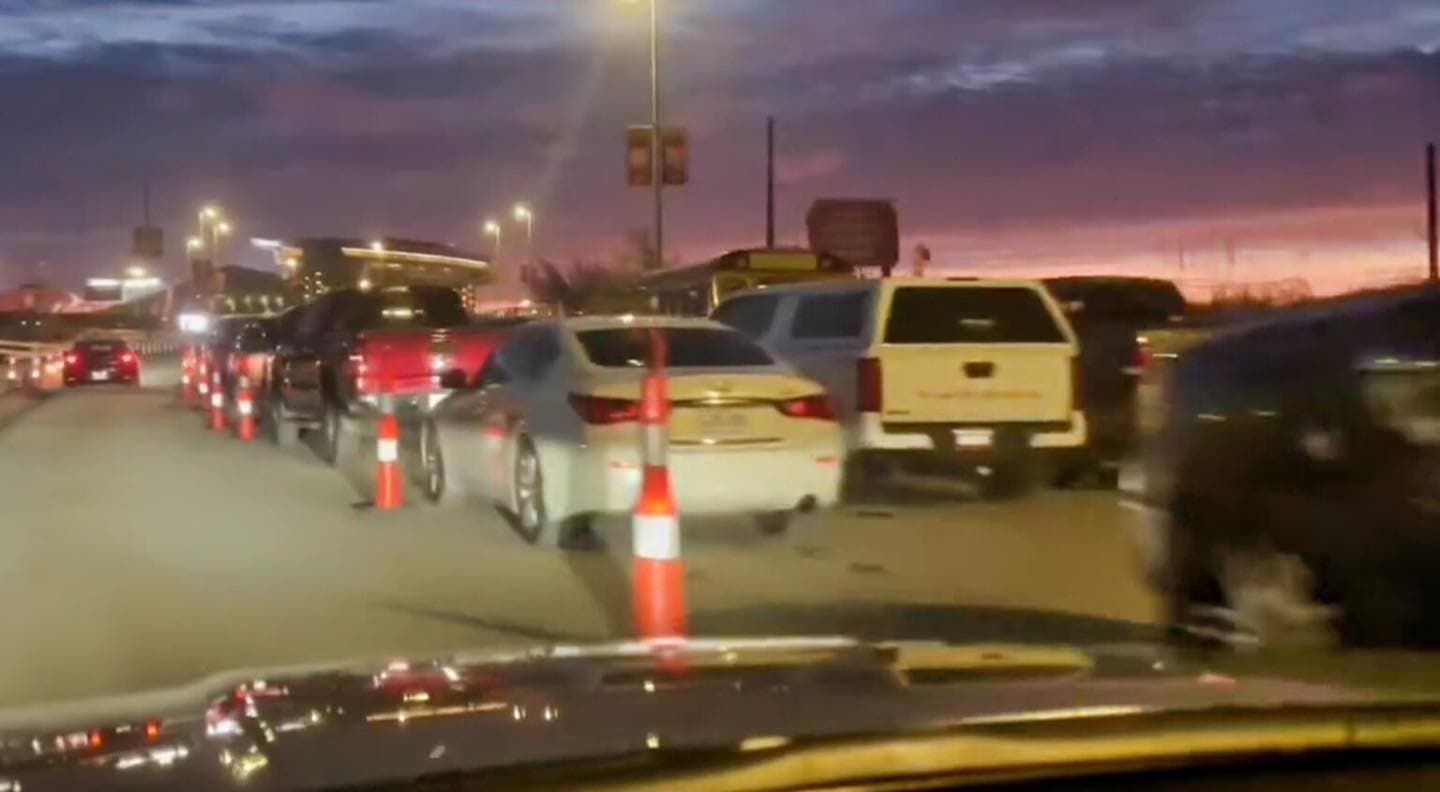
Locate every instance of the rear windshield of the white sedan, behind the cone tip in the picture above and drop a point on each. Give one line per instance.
(686, 346)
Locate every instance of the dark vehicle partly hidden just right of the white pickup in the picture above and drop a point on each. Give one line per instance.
(1108, 315)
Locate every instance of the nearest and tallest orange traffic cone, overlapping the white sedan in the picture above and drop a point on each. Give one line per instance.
(659, 575)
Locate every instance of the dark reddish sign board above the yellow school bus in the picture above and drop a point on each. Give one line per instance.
(862, 233)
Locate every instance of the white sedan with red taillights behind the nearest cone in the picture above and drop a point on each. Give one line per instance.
(551, 430)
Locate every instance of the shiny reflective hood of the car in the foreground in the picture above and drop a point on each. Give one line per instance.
(372, 724)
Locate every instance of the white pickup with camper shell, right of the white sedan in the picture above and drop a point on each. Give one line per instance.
(932, 377)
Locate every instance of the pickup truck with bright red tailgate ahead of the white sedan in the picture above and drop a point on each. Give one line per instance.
(346, 351)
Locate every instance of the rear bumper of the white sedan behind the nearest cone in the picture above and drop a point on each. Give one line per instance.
(706, 482)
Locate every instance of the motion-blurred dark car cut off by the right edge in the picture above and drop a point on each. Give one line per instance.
(1295, 482)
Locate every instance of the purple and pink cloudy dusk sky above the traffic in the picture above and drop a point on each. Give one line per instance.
(1205, 140)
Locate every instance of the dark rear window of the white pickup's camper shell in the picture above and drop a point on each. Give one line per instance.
(970, 316)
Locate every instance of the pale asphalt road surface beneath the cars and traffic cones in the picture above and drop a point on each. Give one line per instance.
(138, 551)
